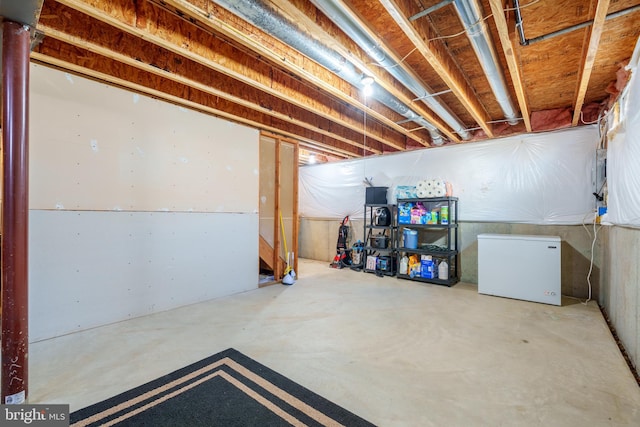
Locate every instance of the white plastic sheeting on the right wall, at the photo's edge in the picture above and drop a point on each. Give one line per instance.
(623, 158)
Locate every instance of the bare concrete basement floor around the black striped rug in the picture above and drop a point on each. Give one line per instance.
(397, 353)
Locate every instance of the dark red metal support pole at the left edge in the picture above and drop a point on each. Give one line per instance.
(15, 211)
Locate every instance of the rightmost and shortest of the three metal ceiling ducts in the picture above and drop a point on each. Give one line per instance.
(470, 14)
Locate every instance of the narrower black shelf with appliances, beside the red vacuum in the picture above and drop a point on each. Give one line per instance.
(380, 236)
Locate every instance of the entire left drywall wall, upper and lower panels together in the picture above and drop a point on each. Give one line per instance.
(136, 205)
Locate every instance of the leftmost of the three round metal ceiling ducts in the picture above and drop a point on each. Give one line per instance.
(270, 21)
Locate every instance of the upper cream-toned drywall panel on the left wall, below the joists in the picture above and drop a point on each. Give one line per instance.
(97, 147)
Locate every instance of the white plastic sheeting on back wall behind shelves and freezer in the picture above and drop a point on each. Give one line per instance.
(542, 178)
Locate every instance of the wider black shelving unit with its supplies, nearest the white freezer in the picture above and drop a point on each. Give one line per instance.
(427, 240)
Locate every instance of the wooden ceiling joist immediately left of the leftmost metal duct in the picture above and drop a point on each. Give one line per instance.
(221, 22)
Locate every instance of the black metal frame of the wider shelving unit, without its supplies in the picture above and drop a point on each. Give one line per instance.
(447, 235)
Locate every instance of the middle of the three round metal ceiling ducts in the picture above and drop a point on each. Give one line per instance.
(340, 16)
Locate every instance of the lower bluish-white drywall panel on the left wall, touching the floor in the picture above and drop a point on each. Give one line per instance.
(93, 268)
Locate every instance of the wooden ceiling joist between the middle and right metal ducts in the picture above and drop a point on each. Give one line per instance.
(441, 62)
